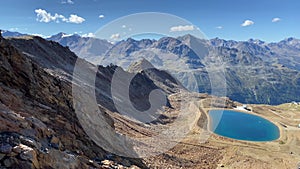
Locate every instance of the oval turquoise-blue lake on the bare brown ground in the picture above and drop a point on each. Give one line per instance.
(242, 126)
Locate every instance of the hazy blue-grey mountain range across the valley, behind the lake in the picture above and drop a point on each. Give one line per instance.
(250, 71)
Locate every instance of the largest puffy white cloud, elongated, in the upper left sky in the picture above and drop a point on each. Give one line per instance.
(44, 16)
